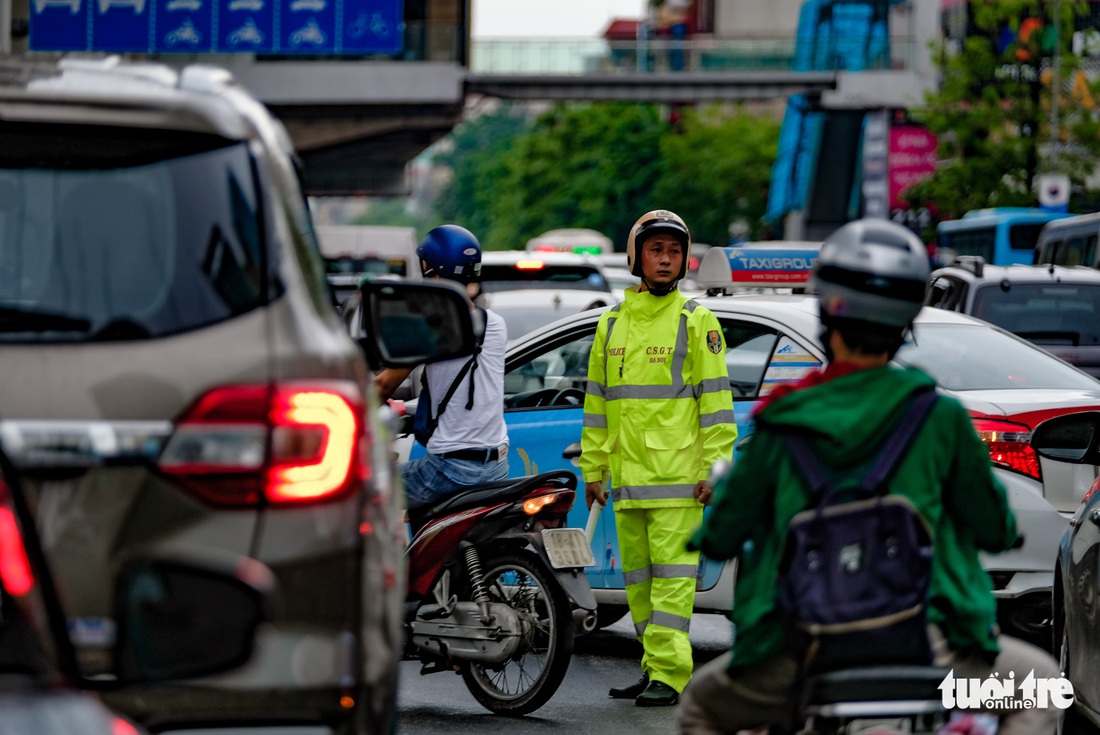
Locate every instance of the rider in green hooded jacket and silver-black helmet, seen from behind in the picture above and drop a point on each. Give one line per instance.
(871, 280)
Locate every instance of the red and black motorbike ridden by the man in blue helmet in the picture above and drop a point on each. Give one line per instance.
(498, 591)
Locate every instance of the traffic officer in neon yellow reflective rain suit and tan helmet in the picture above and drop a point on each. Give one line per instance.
(658, 414)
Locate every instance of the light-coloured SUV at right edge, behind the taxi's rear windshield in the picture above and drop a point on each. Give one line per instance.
(1052, 306)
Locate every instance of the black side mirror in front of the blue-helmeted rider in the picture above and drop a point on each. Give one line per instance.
(406, 324)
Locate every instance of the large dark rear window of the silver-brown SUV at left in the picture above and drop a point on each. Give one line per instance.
(126, 234)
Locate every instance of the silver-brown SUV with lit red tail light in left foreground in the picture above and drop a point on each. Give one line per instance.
(177, 380)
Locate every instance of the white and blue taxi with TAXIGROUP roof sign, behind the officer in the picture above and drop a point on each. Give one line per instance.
(1008, 385)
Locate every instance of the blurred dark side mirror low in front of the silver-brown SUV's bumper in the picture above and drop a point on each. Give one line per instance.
(180, 621)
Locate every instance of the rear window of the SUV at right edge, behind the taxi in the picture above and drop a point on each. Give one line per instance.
(1043, 313)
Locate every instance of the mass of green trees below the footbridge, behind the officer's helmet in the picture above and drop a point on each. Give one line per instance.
(602, 166)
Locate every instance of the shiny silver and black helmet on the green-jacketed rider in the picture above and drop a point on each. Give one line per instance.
(874, 271)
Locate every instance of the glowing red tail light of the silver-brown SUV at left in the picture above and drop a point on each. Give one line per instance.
(283, 444)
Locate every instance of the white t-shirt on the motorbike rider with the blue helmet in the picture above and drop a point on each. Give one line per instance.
(482, 427)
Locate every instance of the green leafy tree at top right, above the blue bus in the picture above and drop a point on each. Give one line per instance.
(992, 114)
